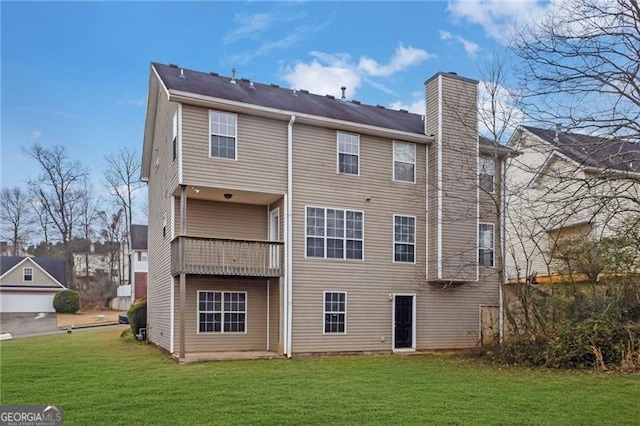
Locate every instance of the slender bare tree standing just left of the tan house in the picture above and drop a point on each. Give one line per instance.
(122, 176)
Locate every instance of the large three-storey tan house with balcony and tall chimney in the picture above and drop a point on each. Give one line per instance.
(291, 223)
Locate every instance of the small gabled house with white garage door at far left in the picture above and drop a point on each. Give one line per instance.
(28, 284)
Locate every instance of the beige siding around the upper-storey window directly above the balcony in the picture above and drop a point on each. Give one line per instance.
(261, 163)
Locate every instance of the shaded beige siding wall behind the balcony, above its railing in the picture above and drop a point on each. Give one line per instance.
(224, 219)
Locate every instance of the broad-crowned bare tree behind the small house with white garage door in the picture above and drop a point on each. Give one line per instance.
(59, 191)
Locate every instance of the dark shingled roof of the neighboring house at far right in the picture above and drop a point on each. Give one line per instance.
(594, 151)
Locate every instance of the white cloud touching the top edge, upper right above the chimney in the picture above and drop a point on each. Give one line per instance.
(498, 17)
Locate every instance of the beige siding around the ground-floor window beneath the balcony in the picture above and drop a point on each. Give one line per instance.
(255, 338)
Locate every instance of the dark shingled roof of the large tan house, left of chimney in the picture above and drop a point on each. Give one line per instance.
(272, 96)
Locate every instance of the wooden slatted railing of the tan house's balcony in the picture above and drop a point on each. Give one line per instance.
(217, 256)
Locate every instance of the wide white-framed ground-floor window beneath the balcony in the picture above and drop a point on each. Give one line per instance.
(222, 312)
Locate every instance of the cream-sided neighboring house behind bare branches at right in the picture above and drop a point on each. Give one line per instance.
(565, 185)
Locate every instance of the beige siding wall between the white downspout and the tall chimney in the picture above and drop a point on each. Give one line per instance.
(367, 282)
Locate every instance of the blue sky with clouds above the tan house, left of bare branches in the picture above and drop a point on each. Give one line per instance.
(76, 73)
